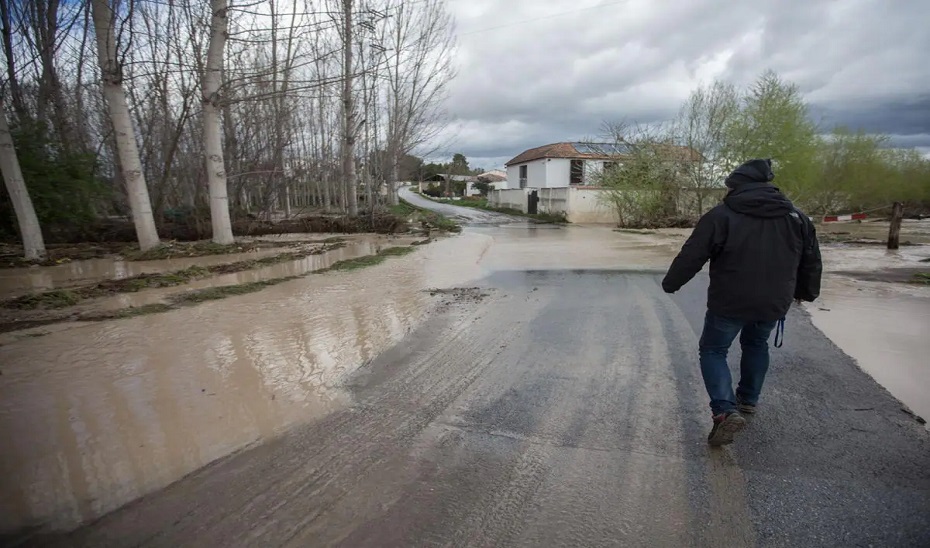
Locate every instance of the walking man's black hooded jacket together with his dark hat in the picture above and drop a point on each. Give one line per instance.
(763, 251)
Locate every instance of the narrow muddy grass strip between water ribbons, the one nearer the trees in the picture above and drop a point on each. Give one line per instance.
(63, 298)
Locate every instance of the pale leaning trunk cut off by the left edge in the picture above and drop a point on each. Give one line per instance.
(16, 187)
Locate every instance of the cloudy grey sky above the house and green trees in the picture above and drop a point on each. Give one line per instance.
(532, 72)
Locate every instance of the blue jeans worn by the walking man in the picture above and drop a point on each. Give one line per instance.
(716, 339)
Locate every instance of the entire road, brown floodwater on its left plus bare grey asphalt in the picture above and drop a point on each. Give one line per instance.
(548, 395)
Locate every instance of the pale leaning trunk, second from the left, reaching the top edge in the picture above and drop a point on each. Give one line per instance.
(127, 148)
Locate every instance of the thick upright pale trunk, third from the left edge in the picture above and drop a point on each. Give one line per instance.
(212, 126)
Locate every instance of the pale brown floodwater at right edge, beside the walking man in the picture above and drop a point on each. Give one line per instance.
(886, 328)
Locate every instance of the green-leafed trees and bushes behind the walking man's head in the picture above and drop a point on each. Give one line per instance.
(719, 126)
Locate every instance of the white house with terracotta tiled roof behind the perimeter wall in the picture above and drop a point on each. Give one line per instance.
(562, 164)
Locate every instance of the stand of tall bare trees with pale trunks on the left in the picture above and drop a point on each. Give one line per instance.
(211, 109)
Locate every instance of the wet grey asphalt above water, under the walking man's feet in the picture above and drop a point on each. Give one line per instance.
(563, 408)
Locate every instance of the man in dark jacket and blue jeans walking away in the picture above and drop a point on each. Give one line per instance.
(763, 254)
